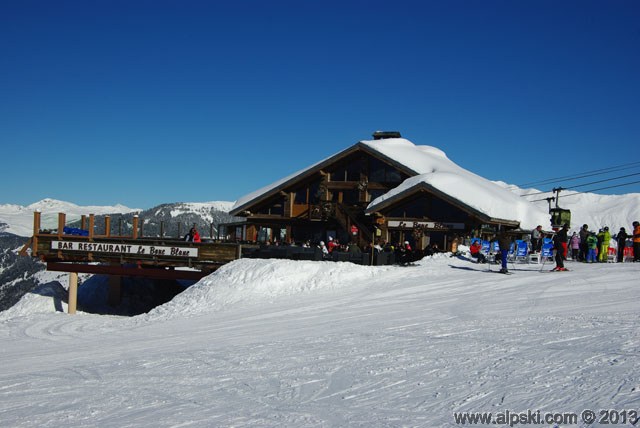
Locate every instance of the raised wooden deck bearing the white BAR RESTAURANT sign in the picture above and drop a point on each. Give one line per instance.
(162, 258)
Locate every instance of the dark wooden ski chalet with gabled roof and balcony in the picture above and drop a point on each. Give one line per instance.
(361, 194)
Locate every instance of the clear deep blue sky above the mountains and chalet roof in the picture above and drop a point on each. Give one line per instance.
(146, 102)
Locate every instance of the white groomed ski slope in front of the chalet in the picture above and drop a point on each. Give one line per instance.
(318, 344)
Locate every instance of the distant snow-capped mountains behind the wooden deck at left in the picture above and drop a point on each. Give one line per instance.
(19, 275)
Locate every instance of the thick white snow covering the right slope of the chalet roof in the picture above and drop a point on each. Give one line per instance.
(437, 170)
